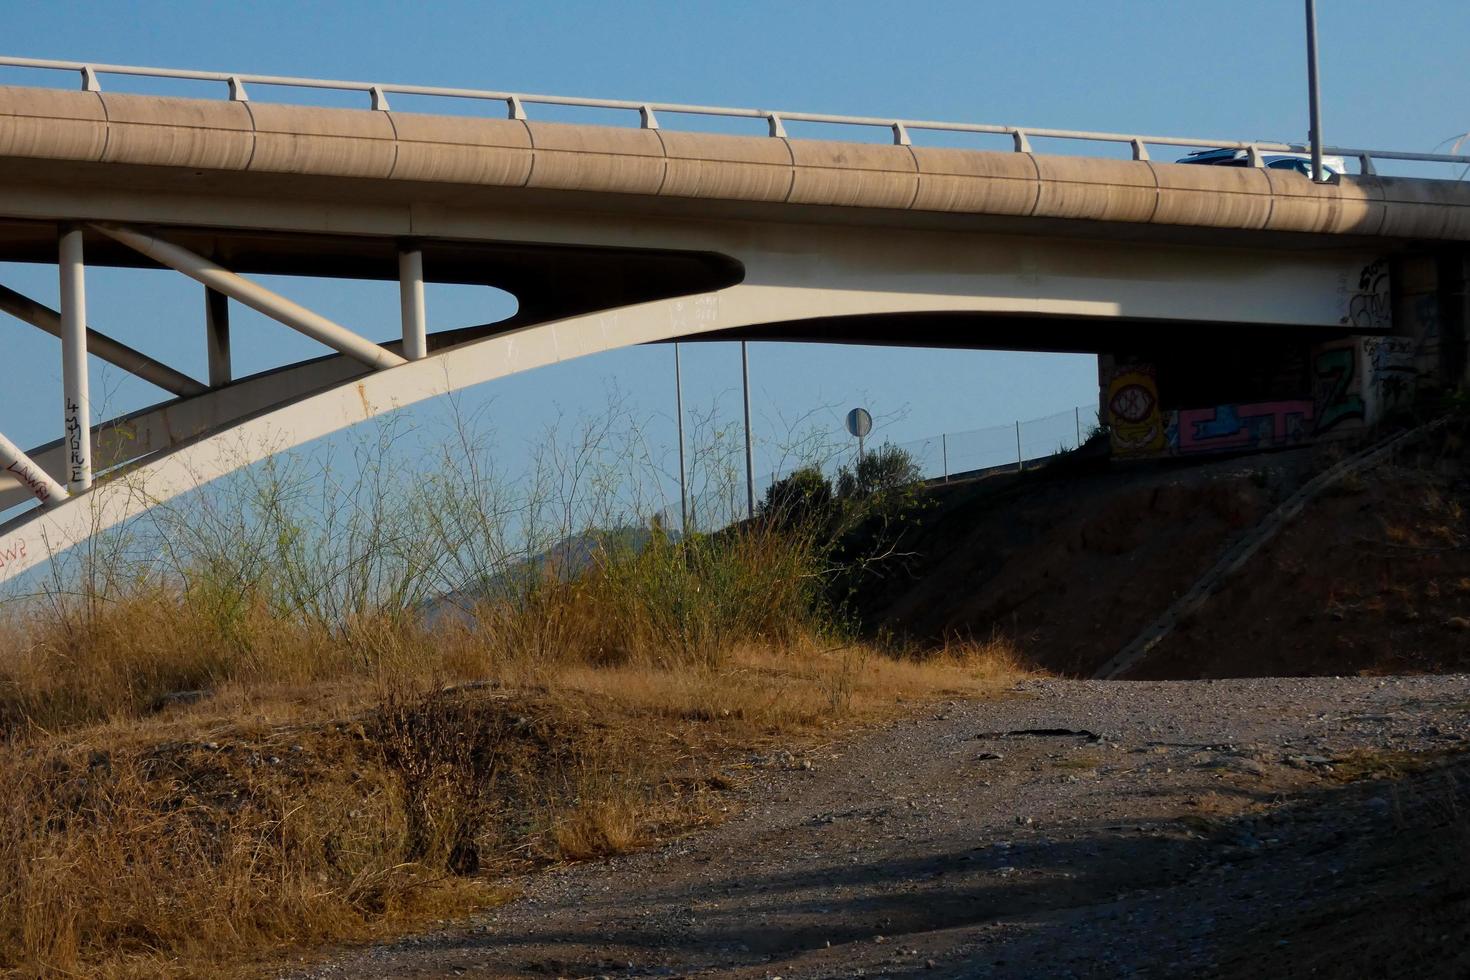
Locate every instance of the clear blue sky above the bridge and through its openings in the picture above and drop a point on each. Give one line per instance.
(1394, 77)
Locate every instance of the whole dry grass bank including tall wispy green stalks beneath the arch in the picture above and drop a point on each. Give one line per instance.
(258, 732)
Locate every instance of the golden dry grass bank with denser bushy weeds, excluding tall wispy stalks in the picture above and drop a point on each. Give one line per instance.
(339, 784)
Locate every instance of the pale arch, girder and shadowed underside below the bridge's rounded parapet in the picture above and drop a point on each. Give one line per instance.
(593, 275)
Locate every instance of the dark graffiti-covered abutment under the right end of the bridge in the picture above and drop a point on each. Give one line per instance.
(1208, 392)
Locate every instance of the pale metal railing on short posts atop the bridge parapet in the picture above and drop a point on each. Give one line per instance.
(649, 112)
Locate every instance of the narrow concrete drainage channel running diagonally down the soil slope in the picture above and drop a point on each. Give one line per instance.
(1244, 549)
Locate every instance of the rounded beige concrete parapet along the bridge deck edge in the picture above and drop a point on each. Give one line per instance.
(254, 140)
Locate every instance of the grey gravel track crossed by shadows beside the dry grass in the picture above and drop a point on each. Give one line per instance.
(1136, 829)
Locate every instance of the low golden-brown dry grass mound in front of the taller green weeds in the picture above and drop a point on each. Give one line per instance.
(209, 834)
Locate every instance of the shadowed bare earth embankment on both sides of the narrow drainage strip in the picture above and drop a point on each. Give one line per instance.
(1375, 577)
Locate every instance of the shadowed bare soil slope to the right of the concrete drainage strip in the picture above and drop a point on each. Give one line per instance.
(1372, 578)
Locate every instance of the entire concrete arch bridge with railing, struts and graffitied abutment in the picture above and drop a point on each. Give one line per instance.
(618, 236)
